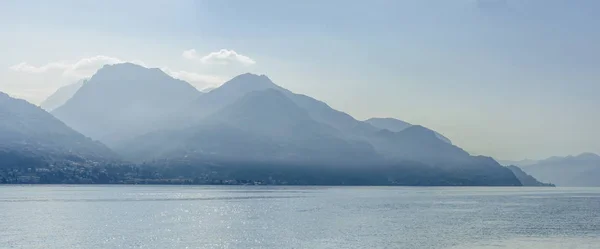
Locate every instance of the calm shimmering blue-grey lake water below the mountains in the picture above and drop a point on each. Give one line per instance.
(59, 217)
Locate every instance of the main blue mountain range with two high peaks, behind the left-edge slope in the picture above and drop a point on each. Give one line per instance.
(148, 117)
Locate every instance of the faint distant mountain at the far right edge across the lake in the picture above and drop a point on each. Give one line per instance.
(581, 170)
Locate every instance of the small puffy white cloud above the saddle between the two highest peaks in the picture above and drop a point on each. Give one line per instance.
(221, 57)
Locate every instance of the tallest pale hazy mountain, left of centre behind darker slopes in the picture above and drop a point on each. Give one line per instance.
(124, 100)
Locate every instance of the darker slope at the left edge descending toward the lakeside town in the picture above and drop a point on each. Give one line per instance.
(30, 136)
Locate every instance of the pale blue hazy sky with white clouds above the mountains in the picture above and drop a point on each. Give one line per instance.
(511, 79)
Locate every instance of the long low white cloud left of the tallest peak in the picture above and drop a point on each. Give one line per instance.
(82, 68)
